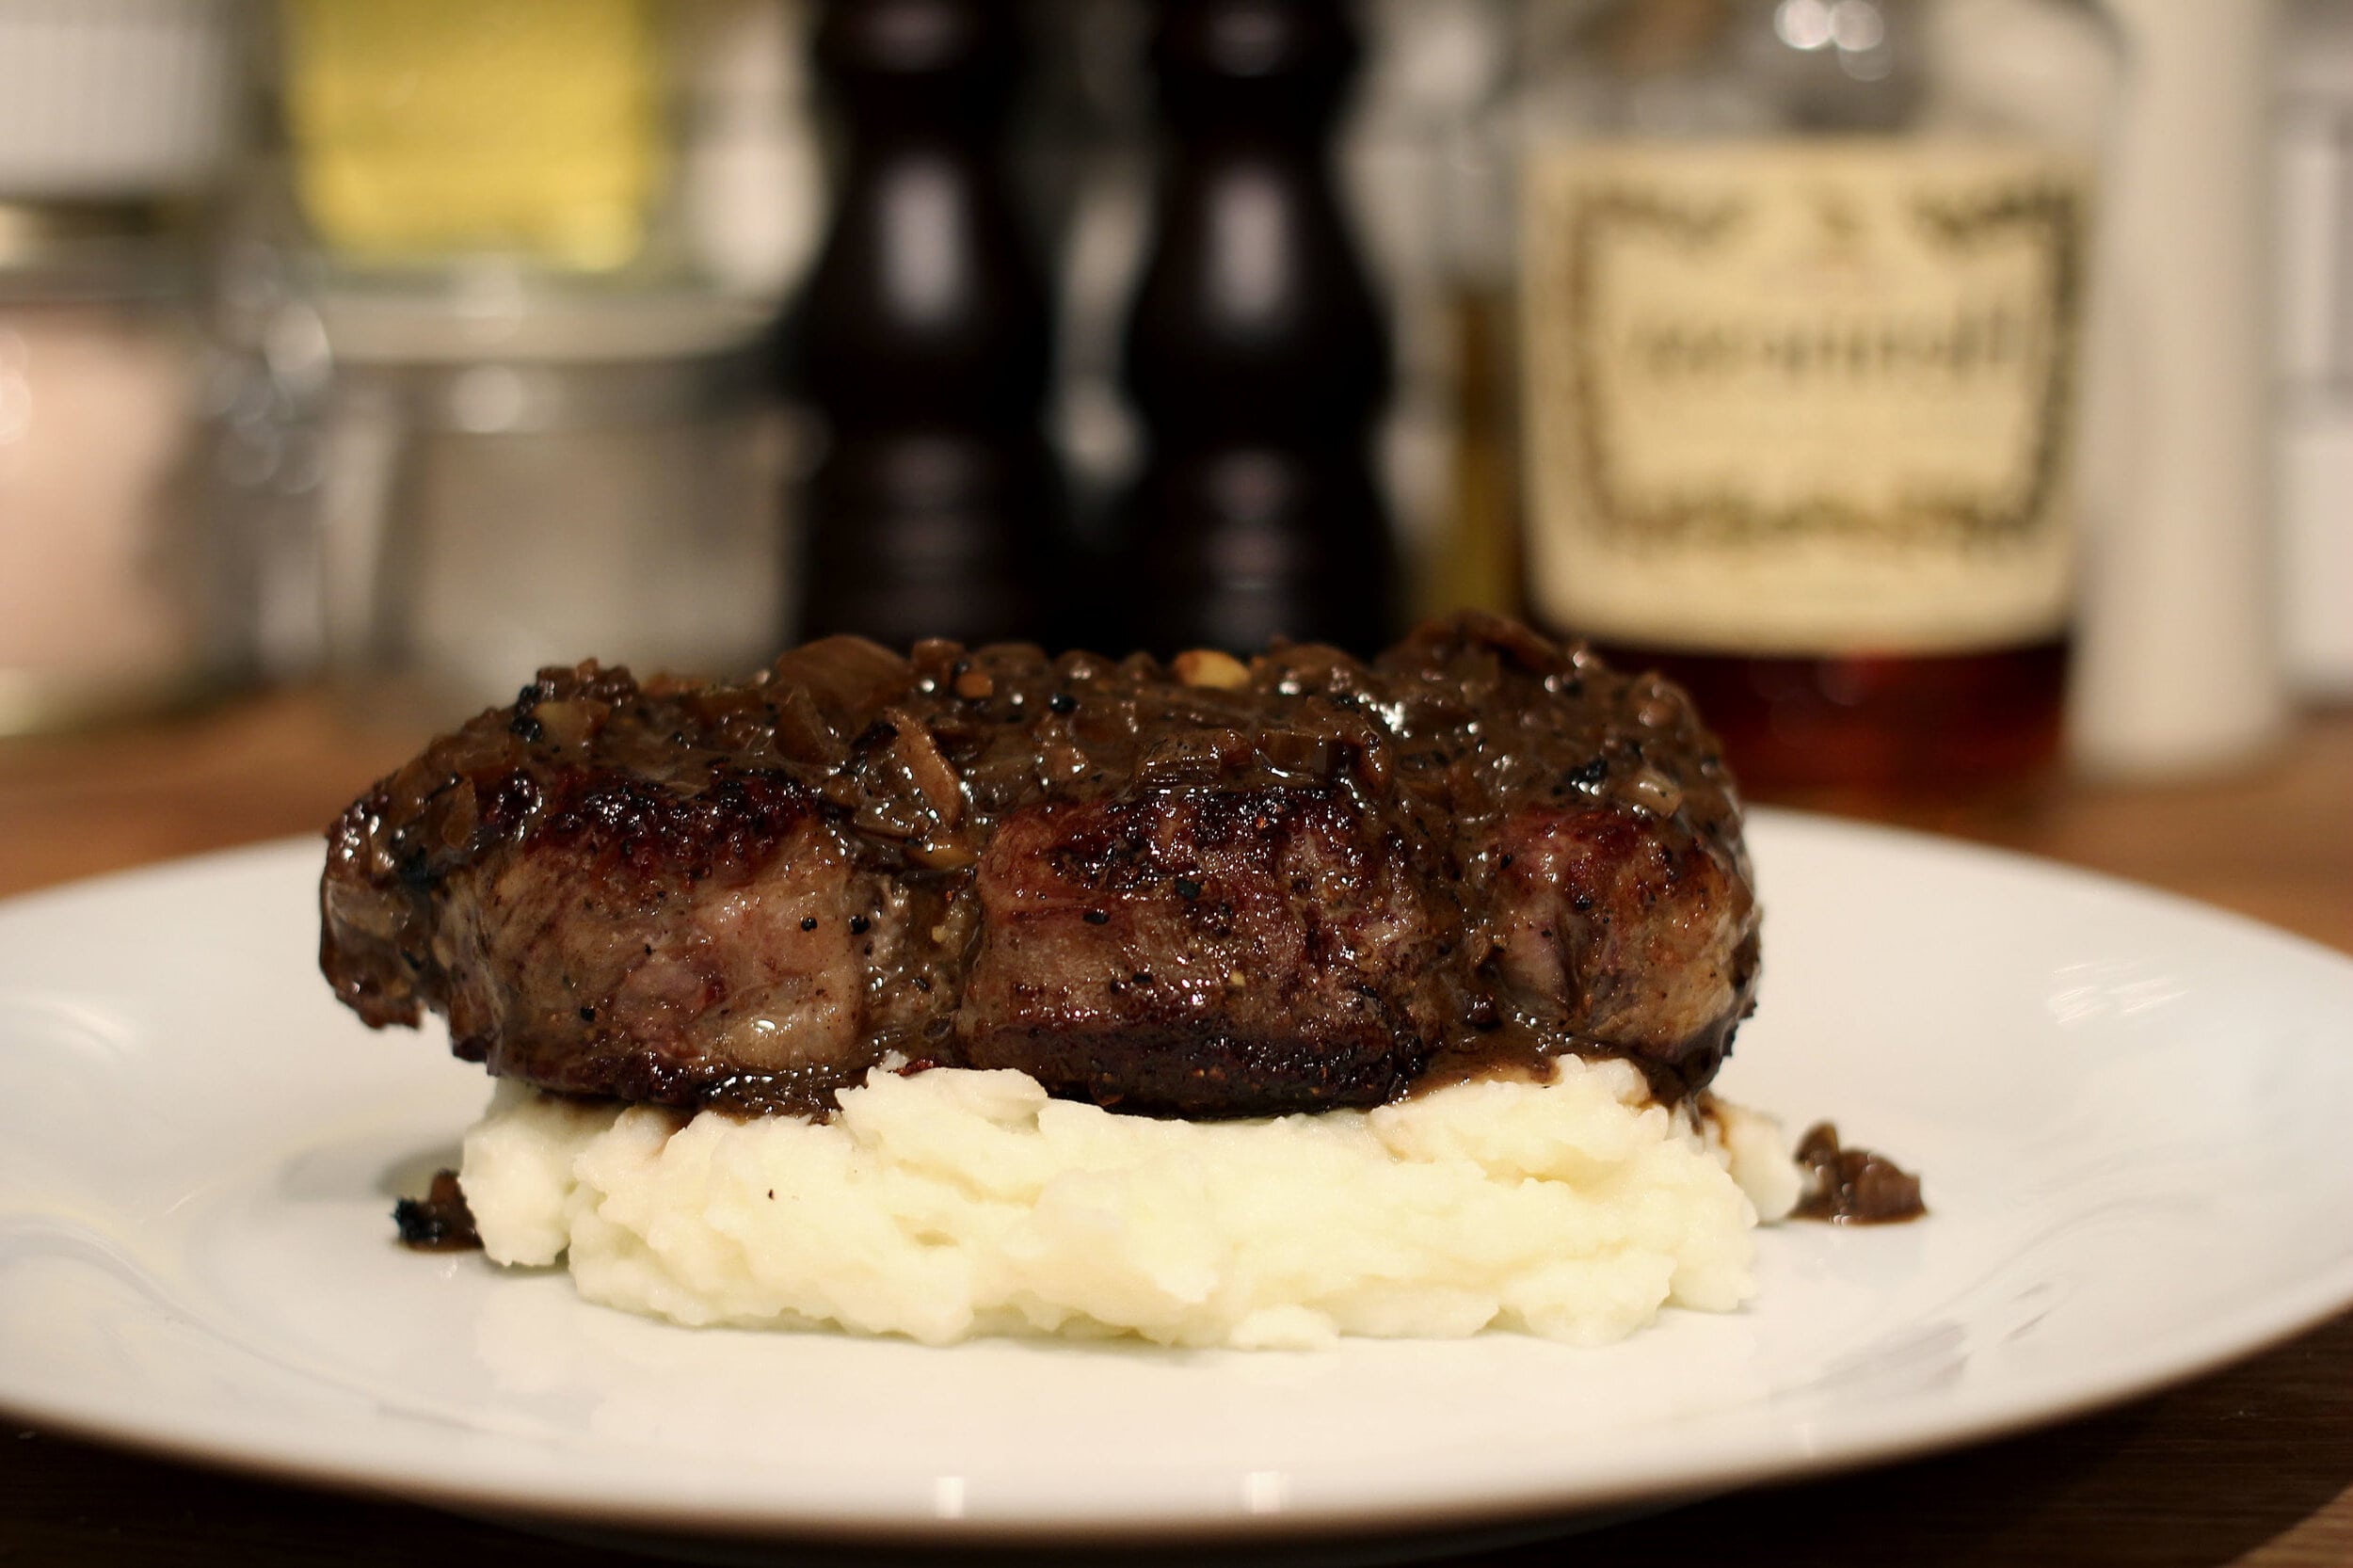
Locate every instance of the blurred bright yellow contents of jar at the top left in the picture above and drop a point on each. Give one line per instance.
(432, 128)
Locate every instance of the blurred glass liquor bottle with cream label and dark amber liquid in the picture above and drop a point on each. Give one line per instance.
(1801, 295)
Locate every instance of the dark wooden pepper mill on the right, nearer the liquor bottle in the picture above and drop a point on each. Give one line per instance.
(1255, 352)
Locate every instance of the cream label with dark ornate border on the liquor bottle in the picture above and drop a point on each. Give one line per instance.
(1801, 397)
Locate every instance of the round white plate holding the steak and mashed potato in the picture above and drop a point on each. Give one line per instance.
(2131, 1115)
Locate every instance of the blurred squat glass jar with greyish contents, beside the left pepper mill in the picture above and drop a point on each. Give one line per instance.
(547, 479)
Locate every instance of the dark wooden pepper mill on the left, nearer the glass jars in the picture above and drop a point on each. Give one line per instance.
(924, 343)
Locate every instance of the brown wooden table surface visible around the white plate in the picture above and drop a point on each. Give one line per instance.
(2251, 1466)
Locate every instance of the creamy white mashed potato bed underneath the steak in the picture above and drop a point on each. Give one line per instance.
(954, 1204)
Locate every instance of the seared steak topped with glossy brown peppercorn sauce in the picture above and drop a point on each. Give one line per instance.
(1201, 889)
